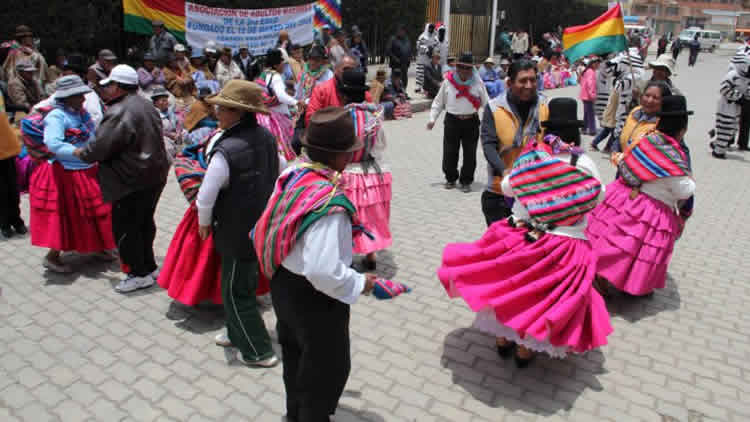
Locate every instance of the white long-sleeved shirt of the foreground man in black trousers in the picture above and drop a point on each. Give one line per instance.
(324, 255)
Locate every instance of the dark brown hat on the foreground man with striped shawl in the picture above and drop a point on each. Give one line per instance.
(332, 129)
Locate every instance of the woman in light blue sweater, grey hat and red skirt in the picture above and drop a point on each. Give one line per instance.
(68, 212)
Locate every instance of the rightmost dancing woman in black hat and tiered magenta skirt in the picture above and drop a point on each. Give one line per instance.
(634, 229)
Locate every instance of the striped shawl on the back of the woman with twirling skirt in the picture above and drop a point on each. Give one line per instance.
(555, 192)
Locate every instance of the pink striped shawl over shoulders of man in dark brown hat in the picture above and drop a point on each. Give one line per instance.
(301, 197)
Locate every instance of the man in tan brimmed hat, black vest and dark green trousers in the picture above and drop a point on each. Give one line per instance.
(242, 167)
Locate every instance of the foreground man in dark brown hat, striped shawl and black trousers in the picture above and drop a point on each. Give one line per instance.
(306, 251)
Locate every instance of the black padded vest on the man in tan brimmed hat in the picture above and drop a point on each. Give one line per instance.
(250, 151)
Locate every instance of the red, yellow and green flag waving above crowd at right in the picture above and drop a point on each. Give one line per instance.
(606, 34)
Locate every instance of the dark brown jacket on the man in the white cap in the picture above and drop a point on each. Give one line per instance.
(129, 148)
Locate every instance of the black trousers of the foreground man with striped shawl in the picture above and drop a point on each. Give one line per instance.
(313, 331)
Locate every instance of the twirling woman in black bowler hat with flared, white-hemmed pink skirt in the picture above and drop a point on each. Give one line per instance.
(530, 278)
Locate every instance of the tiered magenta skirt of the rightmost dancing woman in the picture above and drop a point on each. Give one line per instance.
(633, 239)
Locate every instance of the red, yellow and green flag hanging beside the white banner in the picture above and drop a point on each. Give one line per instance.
(140, 13)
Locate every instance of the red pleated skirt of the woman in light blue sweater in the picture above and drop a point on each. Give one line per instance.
(68, 212)
